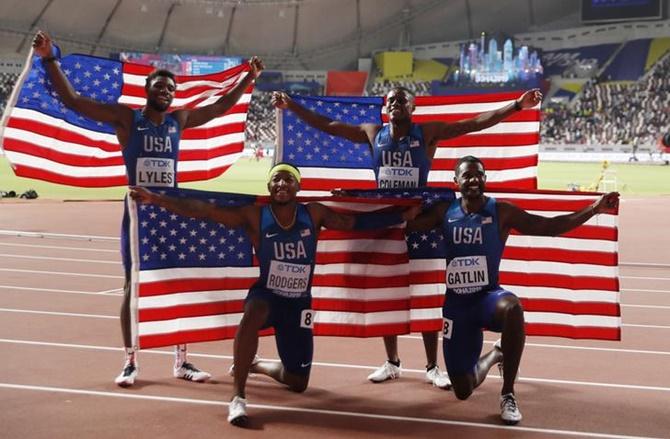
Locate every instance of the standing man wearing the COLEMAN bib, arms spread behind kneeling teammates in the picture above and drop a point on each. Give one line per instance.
(402, 152)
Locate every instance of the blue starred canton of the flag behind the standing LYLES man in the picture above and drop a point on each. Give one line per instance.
(97, 78)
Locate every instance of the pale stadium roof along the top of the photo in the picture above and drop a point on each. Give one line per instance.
(288, 34)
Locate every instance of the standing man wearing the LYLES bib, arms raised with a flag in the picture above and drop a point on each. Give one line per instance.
(144, 134)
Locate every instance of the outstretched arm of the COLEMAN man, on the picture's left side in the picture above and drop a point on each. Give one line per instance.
(356, 133)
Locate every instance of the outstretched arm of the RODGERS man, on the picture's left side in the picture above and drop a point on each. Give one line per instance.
(228, 216)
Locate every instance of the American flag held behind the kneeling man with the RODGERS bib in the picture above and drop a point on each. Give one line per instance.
(189, 276)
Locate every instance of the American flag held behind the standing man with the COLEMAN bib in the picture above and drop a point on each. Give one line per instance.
(509, 149)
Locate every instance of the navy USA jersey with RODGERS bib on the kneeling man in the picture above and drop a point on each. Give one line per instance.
(287, 257)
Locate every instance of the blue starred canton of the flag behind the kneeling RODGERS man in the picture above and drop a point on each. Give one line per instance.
(168, 240)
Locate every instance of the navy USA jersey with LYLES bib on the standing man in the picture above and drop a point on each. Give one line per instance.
(152, 152)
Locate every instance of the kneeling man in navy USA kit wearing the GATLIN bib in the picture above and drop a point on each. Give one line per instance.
(475, 230)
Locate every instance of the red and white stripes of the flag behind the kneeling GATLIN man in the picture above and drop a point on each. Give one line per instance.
(568, 285)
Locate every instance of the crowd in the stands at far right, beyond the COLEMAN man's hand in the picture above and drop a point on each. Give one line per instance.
(613, 113)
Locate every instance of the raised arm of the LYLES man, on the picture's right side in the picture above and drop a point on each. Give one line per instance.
(202, 115)
